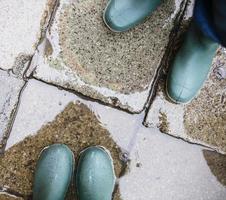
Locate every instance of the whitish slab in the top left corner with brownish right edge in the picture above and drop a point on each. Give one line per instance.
(21, 25)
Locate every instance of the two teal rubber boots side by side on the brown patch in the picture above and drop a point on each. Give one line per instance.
(95, 177)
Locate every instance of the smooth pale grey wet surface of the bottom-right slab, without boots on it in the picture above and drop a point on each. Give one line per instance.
(165, 168)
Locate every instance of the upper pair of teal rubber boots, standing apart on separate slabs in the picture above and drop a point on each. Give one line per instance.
(191, 64)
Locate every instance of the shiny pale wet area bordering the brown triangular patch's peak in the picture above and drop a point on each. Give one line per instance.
(41, 103)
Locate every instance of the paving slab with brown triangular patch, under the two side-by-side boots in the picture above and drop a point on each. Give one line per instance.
(45, 117)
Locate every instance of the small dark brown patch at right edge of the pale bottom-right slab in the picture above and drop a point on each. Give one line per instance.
(217, 165)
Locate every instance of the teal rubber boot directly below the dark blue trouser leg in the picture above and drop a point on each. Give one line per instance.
(190, 66)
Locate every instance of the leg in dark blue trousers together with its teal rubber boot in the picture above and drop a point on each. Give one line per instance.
(192, 63)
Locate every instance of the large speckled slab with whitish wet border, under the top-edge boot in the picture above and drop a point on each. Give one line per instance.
(82, 54)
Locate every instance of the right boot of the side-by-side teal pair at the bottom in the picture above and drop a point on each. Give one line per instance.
(95, 177)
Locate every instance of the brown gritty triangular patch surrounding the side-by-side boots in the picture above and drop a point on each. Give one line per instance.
(76, 127)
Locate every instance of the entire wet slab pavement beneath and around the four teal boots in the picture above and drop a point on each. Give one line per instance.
(56, 90)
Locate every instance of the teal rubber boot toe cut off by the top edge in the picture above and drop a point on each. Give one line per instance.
(122, 15)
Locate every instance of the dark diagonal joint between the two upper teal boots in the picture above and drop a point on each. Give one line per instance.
(166, 58)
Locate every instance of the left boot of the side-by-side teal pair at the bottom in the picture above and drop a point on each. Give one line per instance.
(53, 173)
